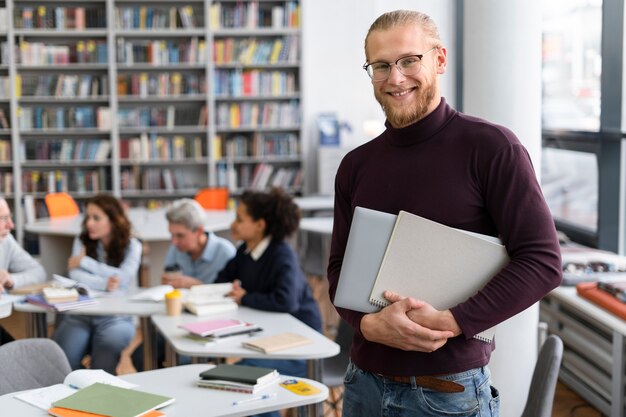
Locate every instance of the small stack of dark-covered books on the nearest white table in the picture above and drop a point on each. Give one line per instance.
(239, 378)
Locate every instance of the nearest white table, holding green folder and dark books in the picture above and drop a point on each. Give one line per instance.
(191, 401)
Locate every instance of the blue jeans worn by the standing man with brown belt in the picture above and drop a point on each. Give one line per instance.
(368, 394)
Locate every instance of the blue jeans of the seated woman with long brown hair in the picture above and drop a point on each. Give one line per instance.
(103, 337)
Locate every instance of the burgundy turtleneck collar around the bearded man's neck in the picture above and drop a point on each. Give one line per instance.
(422, 129)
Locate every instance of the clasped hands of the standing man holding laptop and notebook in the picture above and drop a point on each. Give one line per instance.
(392, 327)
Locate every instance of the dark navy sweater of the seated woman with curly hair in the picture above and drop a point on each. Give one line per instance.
(274, 282)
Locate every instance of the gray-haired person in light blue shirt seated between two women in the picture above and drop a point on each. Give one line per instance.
(195, 256)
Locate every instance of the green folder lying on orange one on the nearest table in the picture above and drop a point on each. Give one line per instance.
(112, 401)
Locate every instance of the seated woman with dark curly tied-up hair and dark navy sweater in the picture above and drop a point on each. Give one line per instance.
(265, 270)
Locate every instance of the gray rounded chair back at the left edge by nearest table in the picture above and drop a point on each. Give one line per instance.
(31, 363)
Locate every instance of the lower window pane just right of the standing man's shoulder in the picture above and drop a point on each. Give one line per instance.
(570, 186)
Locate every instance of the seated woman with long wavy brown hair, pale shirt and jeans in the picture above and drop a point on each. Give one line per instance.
(106, 258)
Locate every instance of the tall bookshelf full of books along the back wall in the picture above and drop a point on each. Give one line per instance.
(148, 99)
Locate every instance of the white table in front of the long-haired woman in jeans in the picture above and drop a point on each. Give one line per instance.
(37, 326)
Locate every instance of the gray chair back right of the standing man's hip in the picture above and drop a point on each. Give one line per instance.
(545, 376)
